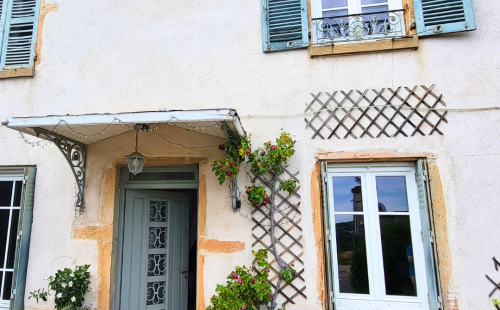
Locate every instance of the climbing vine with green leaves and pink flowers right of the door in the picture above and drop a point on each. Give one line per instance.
(270, 159)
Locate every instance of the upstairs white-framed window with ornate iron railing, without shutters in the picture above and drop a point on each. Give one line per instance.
(356, 20)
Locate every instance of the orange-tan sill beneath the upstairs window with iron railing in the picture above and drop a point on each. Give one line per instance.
(363, 47)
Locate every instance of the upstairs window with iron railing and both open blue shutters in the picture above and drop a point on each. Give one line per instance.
(285, 23)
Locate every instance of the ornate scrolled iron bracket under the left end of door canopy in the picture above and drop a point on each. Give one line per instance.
(76, 154)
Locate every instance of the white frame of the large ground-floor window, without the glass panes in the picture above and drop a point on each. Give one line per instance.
(377, 297)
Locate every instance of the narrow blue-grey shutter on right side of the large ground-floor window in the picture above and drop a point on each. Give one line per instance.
(428, 237)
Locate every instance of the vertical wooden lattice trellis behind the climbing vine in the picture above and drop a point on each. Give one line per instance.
(288, 232)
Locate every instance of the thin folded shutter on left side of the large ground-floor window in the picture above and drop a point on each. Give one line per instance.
(328, 234)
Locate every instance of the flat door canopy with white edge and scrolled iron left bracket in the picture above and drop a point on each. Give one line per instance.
(72, 133)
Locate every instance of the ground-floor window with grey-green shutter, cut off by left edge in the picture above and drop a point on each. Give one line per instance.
(16, 214)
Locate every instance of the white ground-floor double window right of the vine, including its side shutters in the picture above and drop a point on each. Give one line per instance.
(380, 253)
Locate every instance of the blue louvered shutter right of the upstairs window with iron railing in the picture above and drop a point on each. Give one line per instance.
(444, 16)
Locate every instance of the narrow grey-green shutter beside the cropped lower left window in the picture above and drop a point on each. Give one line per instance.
(23, 240)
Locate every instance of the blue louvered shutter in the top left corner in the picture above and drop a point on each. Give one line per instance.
(19, 38)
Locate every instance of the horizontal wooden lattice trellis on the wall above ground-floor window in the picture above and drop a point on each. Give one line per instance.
(375, 113)
